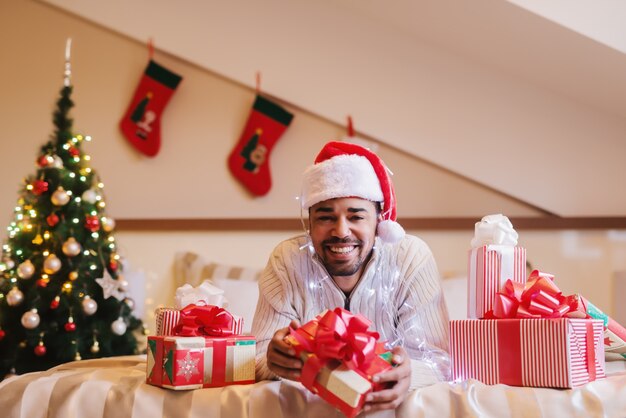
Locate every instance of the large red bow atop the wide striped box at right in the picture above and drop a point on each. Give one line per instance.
(538, 298)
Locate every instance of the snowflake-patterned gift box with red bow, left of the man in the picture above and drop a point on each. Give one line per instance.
(203, 352)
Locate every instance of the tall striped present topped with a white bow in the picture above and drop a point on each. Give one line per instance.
(493, 259)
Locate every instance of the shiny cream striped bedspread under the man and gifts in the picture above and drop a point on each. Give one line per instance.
(115, 388)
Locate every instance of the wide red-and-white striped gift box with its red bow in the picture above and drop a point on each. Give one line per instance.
(533, 336)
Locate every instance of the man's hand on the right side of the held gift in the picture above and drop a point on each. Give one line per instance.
(399, 379)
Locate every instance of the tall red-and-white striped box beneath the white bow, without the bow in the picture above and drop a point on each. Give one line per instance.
(490, 266)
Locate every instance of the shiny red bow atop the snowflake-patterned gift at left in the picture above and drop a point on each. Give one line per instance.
(205, 320)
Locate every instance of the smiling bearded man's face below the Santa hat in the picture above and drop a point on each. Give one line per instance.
(343, 232)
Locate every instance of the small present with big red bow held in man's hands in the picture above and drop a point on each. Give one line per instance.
(340, 358)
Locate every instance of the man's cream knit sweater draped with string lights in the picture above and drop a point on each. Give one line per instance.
(399, 292)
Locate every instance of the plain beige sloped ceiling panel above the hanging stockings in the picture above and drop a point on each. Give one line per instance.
(485, 88)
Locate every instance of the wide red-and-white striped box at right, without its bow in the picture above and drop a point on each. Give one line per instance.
(555, 353)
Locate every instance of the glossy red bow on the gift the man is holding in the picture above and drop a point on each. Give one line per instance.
(342, 336)
